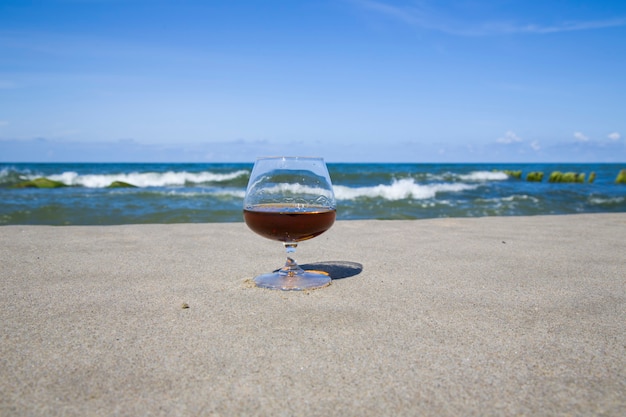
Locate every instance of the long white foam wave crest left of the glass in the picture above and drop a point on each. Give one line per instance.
(145, 179)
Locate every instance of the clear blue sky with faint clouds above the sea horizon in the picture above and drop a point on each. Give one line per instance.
(349, 80)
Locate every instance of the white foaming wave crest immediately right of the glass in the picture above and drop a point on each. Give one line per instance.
(399, 190)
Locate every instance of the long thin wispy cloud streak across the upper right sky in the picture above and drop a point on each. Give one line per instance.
(424, 16)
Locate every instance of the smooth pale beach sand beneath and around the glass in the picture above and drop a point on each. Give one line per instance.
(442, 317)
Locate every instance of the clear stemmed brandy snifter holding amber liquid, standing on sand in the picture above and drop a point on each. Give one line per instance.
(290, 199)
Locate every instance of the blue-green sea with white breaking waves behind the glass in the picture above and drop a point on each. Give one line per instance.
(214, 192)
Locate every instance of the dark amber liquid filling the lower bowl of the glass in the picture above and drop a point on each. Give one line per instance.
(288, 223)
